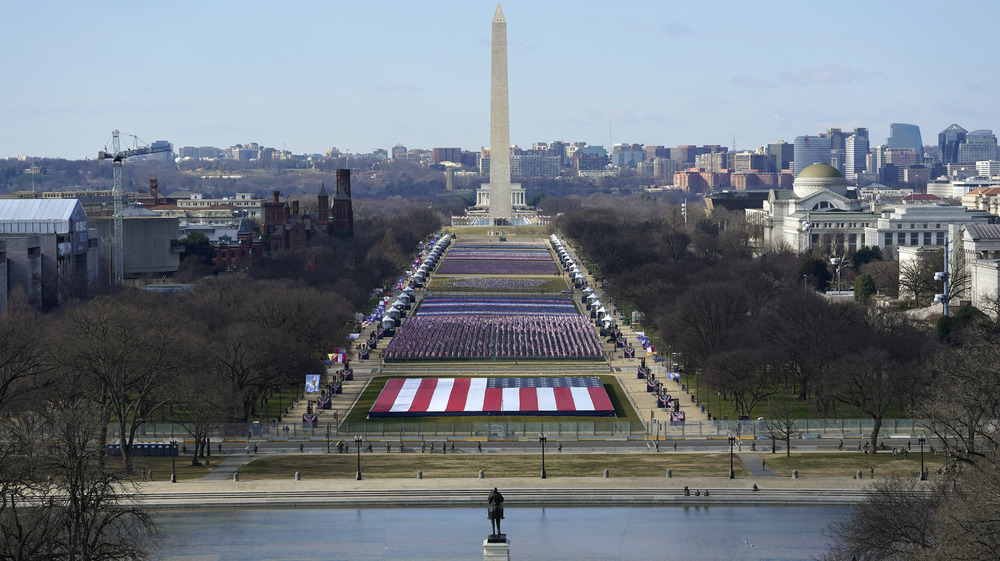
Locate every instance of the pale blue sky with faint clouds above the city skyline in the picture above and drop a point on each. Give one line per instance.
(360, 75)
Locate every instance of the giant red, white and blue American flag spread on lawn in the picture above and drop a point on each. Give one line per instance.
(416, 397)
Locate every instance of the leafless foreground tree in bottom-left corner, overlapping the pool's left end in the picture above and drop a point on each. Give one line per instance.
(57, 502)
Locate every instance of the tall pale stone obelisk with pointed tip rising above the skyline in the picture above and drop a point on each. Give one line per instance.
(500, 201)
